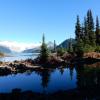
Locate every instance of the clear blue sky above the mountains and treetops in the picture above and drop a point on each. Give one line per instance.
(26, 20)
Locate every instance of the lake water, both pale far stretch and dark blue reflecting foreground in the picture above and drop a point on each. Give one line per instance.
(82, 80)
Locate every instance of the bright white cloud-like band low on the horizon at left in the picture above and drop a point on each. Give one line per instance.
(19, 46)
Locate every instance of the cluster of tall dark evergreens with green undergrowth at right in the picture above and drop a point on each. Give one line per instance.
(87, 34)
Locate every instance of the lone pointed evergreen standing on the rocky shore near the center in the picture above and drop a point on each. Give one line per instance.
(44, 54)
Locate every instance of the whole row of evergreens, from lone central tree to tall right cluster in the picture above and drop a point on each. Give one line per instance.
(87, 39)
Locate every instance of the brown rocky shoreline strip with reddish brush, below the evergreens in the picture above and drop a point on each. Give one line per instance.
(53, 62)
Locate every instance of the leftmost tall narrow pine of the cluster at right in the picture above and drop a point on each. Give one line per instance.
(78, 29)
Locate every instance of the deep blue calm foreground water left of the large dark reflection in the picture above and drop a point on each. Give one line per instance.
(48, 81)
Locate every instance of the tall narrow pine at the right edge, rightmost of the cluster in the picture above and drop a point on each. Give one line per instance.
(97, 32)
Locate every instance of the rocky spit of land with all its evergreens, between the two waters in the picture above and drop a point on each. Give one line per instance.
(85, 49)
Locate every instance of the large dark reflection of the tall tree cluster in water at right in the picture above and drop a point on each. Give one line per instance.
(88, 77)
